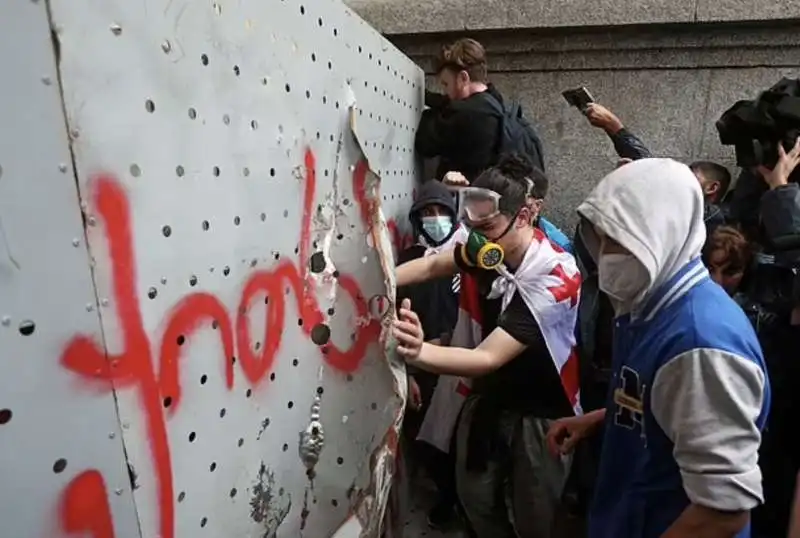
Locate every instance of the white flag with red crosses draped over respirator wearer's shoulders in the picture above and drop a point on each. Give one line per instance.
(548, 280)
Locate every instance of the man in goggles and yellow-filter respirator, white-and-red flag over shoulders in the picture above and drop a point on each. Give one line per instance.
(514, 339)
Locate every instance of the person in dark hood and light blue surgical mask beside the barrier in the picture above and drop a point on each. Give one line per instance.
(433, 220)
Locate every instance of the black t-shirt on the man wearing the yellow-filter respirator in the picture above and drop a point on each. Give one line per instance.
(530, 382)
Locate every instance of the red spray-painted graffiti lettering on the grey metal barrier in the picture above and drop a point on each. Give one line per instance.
(156, 374)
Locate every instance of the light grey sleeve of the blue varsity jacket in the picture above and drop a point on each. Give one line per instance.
(707, 401)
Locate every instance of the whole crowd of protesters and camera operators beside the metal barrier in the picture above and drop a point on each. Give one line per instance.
(635, 374)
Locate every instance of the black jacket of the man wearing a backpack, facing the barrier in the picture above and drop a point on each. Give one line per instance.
(464, 134)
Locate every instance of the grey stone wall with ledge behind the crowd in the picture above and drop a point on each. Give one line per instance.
(668, 69)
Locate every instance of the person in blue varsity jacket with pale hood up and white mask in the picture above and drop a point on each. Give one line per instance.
(689, 393)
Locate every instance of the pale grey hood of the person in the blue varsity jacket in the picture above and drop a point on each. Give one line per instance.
(654, 209)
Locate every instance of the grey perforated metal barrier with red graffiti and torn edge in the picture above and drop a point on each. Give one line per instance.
(198, 207)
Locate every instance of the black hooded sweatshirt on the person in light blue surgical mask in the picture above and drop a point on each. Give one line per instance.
(436, 301)
